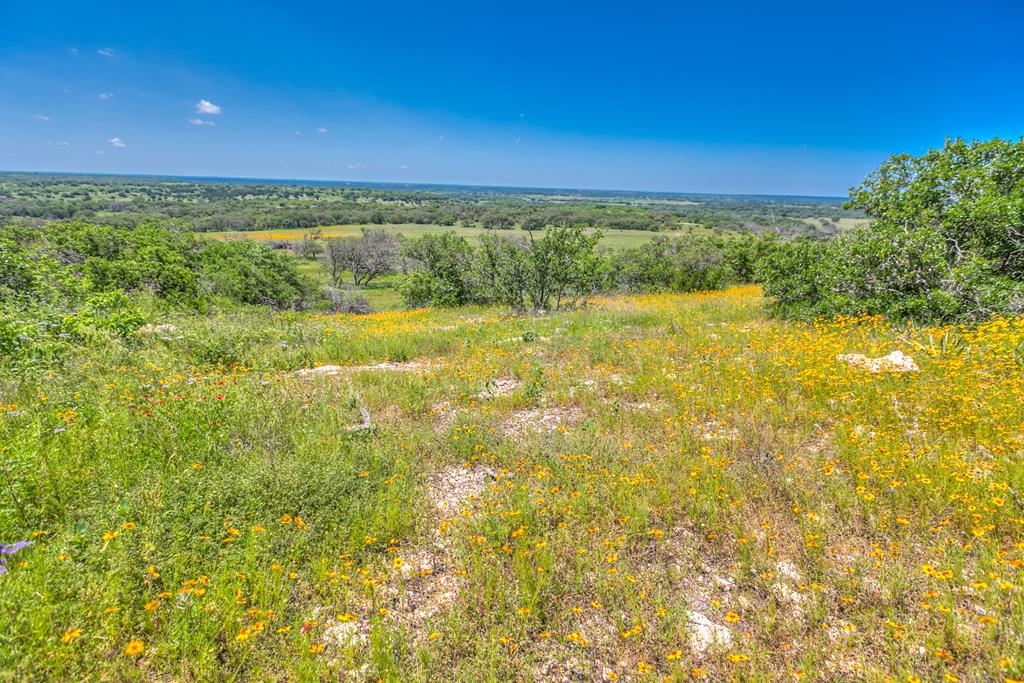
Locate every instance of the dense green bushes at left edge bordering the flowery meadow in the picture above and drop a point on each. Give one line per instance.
(69, 284)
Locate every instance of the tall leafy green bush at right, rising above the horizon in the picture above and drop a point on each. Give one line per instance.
(946, 243)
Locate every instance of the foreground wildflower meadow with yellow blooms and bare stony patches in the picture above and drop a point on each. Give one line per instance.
(657, 488)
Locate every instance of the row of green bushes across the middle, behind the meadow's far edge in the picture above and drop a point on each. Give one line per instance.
(565, 267)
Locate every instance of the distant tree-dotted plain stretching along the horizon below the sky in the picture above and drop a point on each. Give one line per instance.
(209, 206)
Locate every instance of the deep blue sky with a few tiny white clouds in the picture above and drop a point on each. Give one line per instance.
(773, 98)
